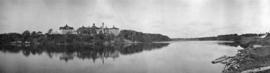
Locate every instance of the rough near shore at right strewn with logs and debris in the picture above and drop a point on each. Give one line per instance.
(253, 58)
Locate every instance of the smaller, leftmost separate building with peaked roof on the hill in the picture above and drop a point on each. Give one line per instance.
(67, 30)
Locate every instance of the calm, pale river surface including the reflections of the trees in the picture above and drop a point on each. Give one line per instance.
(174, 57)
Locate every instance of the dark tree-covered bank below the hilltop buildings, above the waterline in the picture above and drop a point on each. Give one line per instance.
(36, 38)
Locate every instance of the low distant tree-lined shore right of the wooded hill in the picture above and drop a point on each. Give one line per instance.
(242, 39)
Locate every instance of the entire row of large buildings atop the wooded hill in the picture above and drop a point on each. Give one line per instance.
(93, 30)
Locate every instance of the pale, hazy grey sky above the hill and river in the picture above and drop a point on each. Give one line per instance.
(174, 18)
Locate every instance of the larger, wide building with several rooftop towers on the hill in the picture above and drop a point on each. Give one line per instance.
(98, 30)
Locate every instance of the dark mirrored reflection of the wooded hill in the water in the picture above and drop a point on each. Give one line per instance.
(69, 52)
